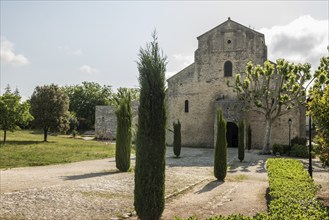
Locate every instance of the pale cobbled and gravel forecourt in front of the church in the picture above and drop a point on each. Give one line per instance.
(96, 190)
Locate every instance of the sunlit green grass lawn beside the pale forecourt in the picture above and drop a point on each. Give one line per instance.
(26, 148)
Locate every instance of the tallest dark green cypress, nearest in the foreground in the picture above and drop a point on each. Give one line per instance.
(151, 133)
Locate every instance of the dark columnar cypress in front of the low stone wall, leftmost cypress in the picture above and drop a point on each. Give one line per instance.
(123, 137)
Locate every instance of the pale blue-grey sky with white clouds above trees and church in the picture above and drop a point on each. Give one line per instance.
(68, 42)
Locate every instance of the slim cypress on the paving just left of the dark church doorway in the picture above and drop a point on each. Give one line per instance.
(220, 163)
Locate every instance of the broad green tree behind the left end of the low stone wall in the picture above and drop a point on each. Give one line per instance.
(83, 101)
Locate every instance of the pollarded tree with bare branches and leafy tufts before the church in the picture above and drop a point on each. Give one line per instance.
(272, 90)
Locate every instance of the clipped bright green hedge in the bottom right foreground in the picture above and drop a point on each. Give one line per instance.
(292, 191)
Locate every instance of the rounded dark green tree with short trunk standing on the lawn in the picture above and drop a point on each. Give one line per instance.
(49, 107)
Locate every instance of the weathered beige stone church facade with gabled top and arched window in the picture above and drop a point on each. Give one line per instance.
(197, 91)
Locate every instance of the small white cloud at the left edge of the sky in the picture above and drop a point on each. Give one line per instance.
(8, 55)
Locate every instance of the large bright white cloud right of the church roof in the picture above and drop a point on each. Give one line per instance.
(303, 40)
